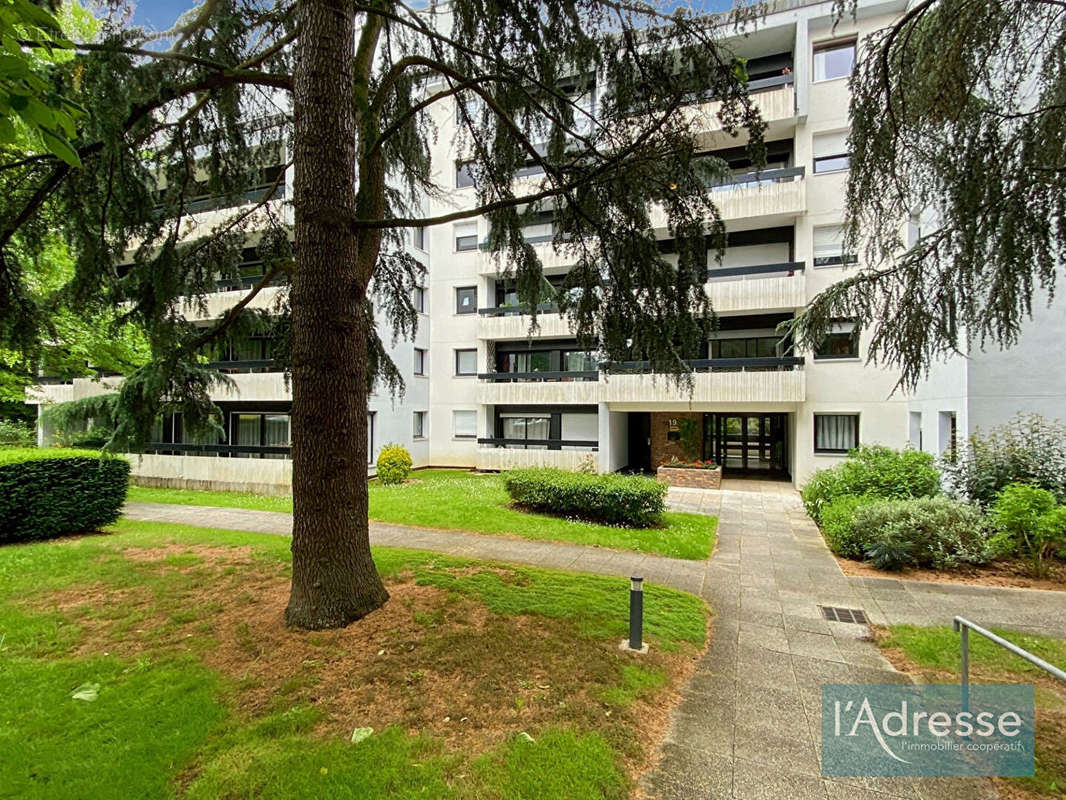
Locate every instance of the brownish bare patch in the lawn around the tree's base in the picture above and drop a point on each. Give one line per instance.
(430, 661)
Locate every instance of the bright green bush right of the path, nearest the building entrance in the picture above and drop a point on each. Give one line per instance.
(875, 471)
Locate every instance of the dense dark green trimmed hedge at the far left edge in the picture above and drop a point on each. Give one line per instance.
(47, 493)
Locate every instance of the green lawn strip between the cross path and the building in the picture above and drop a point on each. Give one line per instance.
(462, 501)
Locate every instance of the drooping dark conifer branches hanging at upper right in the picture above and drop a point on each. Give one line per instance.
(958, 117)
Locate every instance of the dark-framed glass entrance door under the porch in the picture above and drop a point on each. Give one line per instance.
(748, 443)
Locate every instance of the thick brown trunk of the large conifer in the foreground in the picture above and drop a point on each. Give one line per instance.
(334, 578)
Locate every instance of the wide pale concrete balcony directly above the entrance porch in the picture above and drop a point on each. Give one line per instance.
(714, 381)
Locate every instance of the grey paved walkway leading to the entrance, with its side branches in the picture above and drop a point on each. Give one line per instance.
(750, 723)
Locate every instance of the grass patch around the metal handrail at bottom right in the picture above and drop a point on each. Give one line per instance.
(932, 655)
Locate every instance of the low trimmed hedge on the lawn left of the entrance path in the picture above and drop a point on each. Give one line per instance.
(615, 500)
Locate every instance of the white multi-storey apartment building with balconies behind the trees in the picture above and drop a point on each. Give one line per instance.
(484, 392)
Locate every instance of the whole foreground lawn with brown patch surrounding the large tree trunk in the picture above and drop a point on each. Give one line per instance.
(153, 663)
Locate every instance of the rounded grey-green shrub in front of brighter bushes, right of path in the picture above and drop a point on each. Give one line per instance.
(934, 533)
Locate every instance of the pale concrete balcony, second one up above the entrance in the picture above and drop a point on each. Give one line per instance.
(764, 287)
